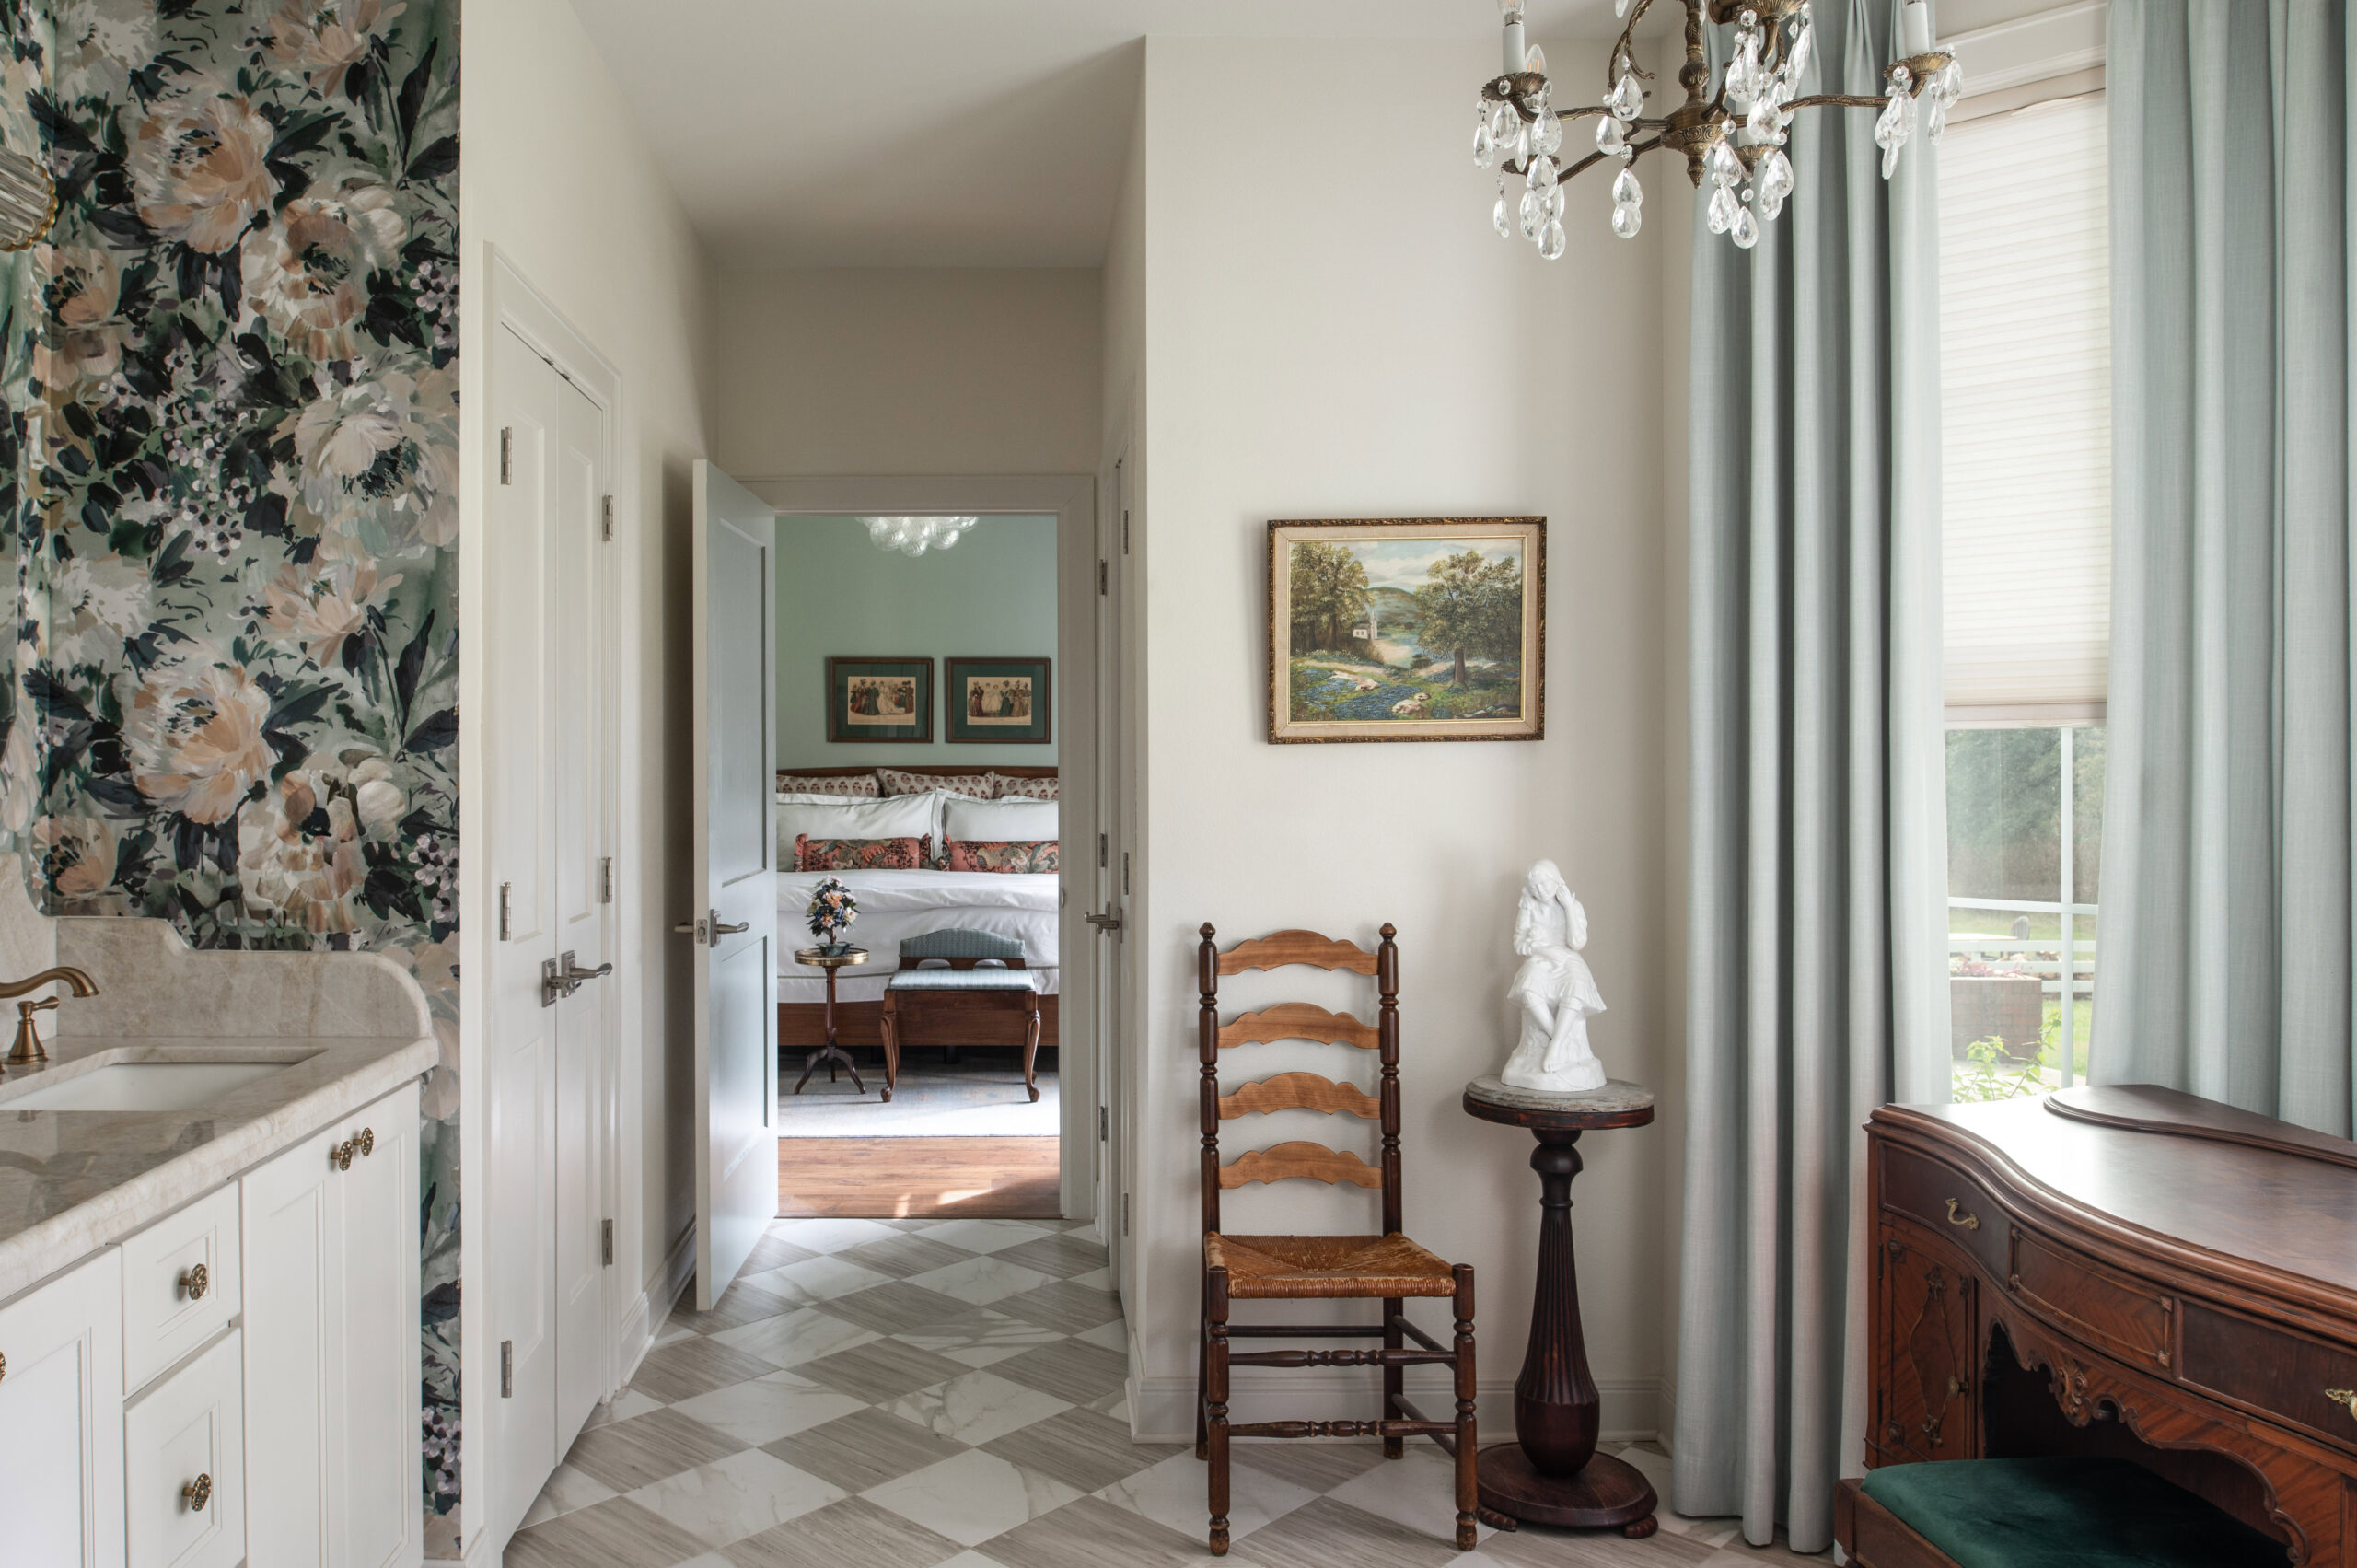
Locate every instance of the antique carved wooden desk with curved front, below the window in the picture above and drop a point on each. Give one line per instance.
(2125, 1272)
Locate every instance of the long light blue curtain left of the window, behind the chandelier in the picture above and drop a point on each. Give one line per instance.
(1818, 925)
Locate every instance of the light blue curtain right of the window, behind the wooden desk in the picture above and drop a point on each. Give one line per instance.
(2226, 836)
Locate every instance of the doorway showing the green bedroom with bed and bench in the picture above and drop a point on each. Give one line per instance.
(993, 1095)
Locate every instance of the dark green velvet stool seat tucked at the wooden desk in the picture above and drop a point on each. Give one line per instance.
(2066, 1513)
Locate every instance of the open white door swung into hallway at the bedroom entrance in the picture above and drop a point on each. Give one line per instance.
(737, 862)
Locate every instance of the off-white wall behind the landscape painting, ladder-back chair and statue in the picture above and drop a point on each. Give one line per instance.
(1335, 331)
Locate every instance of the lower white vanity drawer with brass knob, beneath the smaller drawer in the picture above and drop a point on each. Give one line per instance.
(185, 1465)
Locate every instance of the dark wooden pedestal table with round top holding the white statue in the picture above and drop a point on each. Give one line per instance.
(1554, 1475)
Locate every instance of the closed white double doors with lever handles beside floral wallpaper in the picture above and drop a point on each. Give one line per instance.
(548, 775)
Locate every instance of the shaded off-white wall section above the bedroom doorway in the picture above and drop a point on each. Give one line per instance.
(906, 371)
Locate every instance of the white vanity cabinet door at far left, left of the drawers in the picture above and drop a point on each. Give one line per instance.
(62, 1421)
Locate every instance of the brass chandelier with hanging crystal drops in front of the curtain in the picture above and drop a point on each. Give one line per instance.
(1734, 136)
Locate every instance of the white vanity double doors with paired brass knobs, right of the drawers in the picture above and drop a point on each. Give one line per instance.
(331, 1348)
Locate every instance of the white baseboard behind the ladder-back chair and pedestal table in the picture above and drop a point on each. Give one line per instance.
(1163, 1409)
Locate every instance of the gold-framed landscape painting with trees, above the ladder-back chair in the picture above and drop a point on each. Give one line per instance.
(1427, 628)
